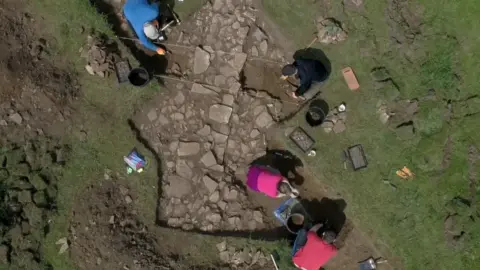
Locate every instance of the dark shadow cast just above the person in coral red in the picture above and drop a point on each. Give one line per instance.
(327, 211)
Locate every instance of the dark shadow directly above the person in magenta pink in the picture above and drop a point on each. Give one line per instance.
(283, 161)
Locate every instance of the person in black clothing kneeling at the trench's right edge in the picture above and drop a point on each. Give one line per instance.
(311, 73)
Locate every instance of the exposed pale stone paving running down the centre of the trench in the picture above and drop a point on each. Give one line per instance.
(207, 129)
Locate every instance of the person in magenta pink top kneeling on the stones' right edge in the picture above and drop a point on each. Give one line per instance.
(269, 182)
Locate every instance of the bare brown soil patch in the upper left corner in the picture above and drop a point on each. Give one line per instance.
(35, 94)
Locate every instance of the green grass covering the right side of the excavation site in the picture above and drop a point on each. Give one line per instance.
(410, 219)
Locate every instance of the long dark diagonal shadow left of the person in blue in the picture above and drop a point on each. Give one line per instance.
(153, 63)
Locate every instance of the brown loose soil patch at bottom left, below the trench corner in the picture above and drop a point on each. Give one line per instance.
(106, 233)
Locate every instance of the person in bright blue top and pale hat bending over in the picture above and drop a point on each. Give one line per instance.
(142, 17)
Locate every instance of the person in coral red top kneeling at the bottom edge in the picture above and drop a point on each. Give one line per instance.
(313, 249)
